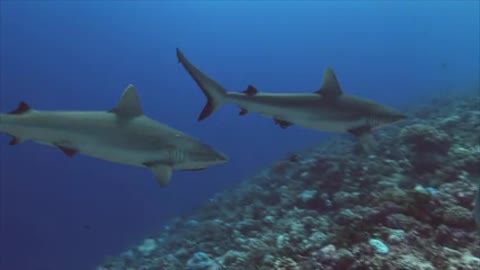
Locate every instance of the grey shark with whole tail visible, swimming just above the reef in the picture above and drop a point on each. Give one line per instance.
(327, 109)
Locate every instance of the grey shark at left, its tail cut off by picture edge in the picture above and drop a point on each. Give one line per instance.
(122, 135)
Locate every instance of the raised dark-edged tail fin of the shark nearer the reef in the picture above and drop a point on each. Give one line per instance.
(214, 92)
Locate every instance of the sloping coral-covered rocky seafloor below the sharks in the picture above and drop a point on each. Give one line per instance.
(405, 205)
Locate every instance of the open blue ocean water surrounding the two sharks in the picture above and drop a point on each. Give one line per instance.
(69, 213)
